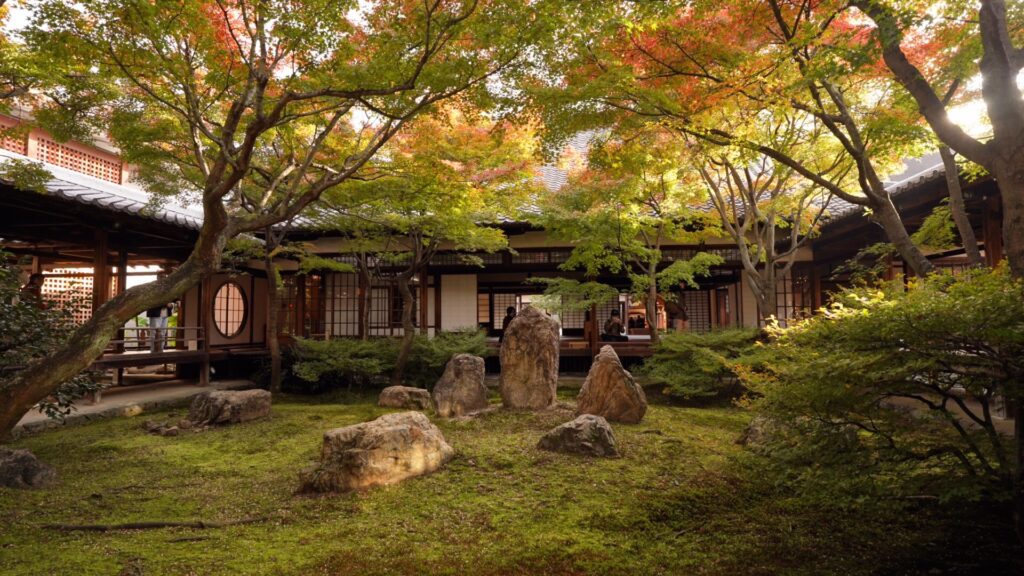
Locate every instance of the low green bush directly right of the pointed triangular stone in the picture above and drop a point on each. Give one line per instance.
(694, 366)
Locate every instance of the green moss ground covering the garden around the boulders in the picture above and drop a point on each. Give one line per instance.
(685, 500)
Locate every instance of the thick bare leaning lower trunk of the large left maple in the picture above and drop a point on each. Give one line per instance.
(42, 378)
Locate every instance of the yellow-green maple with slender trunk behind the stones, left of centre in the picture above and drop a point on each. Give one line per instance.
(445, 183)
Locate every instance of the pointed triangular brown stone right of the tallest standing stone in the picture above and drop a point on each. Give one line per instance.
(611, 391)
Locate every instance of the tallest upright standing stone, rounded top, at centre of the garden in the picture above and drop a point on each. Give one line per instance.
(530, 361)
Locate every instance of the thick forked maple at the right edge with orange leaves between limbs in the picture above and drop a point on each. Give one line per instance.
(992, 37)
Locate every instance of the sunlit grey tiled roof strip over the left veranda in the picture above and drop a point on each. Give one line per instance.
(102, 194)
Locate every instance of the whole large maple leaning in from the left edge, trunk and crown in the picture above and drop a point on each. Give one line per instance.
(251, 110)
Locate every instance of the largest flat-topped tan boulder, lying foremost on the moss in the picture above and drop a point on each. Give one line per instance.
(383, 451)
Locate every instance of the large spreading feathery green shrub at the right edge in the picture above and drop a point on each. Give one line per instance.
(916, 373)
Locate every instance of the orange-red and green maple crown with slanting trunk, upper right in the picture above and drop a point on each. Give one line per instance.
(689, 68)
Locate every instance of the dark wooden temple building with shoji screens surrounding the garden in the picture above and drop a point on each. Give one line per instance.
(92, 232)
